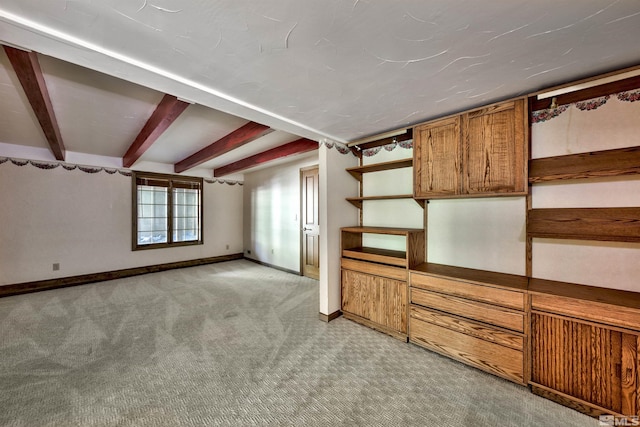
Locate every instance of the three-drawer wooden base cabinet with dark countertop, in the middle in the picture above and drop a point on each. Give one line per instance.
(476, 317)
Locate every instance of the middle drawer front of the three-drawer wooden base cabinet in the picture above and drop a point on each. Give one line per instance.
(469, 327)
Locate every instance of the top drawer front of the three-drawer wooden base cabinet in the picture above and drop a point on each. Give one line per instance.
(502, 297)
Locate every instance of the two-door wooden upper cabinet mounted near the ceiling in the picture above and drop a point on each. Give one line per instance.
(482, 152)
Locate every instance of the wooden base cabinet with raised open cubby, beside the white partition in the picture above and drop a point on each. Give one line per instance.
(374, 280)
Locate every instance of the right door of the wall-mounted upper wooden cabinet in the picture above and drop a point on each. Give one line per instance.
(493, 140)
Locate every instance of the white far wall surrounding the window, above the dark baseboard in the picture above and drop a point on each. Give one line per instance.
(83, 222)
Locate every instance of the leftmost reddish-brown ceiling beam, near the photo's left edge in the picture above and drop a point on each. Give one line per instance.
(27, 68)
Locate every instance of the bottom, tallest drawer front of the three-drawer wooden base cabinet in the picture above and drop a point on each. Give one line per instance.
(493, 358)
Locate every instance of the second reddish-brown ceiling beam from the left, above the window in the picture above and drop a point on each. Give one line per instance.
(167, 111)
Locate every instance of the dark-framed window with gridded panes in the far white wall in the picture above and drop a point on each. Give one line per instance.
(167, 210)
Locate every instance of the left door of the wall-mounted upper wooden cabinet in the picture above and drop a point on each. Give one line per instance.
(436, 159)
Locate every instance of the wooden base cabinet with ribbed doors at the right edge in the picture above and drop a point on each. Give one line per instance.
(586, 347)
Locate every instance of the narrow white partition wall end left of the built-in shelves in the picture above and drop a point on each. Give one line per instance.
(335, 185)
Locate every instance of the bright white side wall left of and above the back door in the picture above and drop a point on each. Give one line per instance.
(272, 214)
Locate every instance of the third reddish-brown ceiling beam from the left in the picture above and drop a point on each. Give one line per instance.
(235, 139)
